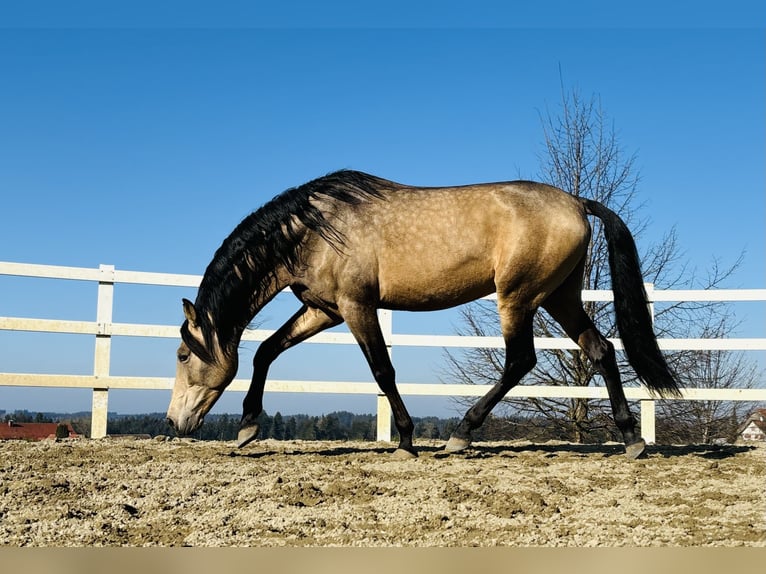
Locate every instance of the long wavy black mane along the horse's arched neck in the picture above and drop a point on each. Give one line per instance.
(246, 262)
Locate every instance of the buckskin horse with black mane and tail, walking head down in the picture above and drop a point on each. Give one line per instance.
(349, 243)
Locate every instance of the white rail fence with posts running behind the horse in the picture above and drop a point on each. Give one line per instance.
(104, 328)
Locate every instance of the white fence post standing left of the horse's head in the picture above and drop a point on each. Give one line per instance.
(103, 350)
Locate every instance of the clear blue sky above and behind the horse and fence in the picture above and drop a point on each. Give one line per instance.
(131, 142)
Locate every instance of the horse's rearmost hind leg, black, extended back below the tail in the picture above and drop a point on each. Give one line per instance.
(565, 306)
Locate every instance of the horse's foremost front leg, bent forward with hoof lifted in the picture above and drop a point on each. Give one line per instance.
(306, 322)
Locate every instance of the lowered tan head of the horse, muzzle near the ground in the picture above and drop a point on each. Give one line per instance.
(203, 371)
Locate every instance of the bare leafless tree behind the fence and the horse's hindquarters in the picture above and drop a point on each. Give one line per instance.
(582, 155)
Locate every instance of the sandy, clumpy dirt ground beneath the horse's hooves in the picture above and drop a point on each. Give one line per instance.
(159, 492)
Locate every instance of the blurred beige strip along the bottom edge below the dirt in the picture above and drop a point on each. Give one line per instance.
(381, 560)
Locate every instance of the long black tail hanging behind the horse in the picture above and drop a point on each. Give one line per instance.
(630, 303)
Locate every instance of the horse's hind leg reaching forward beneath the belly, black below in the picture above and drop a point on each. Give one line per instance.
(520, 358)
